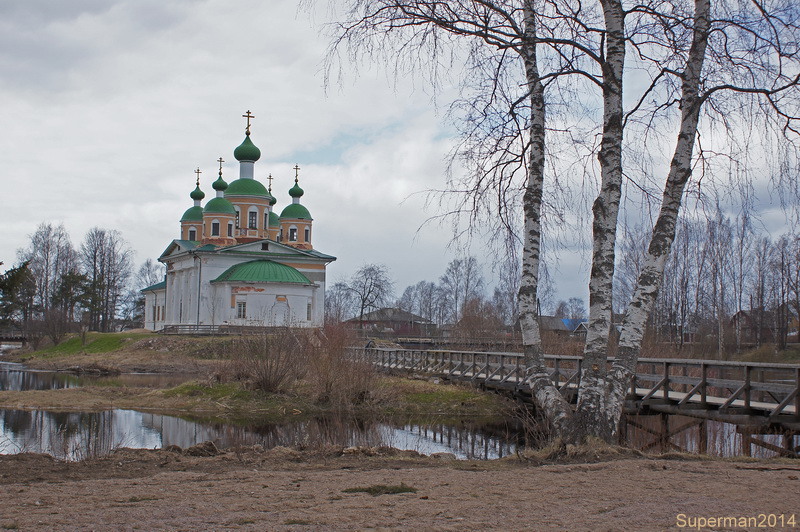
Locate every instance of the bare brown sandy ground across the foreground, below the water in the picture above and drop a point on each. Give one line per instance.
(286, 489)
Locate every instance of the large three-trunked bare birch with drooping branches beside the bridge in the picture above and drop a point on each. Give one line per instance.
(700, 60)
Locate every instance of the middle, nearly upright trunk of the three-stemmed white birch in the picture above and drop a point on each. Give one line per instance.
(592, 390)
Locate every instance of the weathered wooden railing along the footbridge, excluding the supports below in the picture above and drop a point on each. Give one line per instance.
(770, 389)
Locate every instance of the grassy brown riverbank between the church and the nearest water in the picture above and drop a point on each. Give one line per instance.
(208, 389)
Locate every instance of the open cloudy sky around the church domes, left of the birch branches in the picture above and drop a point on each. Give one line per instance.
(110, 105)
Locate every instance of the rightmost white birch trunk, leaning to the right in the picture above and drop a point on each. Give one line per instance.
(664, 230)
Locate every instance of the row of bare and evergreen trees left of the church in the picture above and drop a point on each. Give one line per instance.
(56, 287)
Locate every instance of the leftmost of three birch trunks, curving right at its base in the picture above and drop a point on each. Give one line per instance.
(546, 396)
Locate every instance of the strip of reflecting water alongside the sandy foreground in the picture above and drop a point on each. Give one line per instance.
(74, 436)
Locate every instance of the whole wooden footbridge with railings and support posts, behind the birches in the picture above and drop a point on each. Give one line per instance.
(759, 398)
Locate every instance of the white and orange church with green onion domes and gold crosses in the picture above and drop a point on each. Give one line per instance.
(237, 262)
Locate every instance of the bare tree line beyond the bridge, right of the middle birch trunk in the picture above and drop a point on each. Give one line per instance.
(726, 285)
